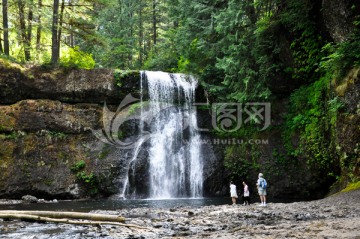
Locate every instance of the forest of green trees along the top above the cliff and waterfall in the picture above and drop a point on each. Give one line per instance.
(238, 49)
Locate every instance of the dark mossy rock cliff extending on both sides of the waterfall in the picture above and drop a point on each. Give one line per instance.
(47, 148)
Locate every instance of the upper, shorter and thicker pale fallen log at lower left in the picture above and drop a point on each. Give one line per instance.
(72, 215)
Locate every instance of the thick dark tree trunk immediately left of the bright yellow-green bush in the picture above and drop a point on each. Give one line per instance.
(55, 46)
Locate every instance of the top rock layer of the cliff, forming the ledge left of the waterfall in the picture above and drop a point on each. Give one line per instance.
(72, 86)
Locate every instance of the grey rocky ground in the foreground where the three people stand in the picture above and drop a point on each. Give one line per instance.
(337, 216)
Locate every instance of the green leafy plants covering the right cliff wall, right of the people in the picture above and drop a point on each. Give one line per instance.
(308, 119)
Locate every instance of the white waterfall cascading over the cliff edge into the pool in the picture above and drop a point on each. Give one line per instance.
(175, 163)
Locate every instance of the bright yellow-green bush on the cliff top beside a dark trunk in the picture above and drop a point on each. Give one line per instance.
(75, 58)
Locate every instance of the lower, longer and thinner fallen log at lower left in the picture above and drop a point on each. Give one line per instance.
(67, 221)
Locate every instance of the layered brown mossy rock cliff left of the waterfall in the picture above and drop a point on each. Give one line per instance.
(47, 146)
